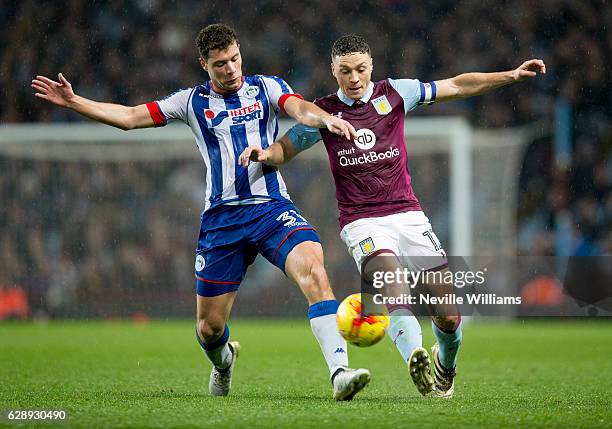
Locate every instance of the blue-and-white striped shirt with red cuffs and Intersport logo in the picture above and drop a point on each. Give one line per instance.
(223, 126)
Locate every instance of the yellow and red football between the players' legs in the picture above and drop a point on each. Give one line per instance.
(359, 324)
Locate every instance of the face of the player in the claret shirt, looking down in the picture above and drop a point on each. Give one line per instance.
(353, 73)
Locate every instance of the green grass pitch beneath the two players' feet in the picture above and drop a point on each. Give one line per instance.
(524, 374)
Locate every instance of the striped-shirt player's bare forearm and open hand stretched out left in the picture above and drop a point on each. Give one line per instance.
(61, 94)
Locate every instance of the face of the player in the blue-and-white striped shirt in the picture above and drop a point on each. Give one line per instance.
(224, 67)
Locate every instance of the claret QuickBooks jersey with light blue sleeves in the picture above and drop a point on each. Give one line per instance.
(371, 173)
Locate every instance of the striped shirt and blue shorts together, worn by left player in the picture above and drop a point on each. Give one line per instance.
(247, 210)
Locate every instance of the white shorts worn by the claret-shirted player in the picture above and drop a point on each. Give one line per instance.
(408, 235)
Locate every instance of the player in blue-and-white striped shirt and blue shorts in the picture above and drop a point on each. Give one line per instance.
(247, 209)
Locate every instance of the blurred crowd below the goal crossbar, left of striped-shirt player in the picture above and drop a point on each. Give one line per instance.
(78, 230)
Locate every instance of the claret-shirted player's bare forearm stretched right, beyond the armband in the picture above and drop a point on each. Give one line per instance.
(471, 84)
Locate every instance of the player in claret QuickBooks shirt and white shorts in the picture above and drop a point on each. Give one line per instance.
(381, 219)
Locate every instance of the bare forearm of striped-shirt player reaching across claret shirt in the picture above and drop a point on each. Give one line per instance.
(311, 115)
